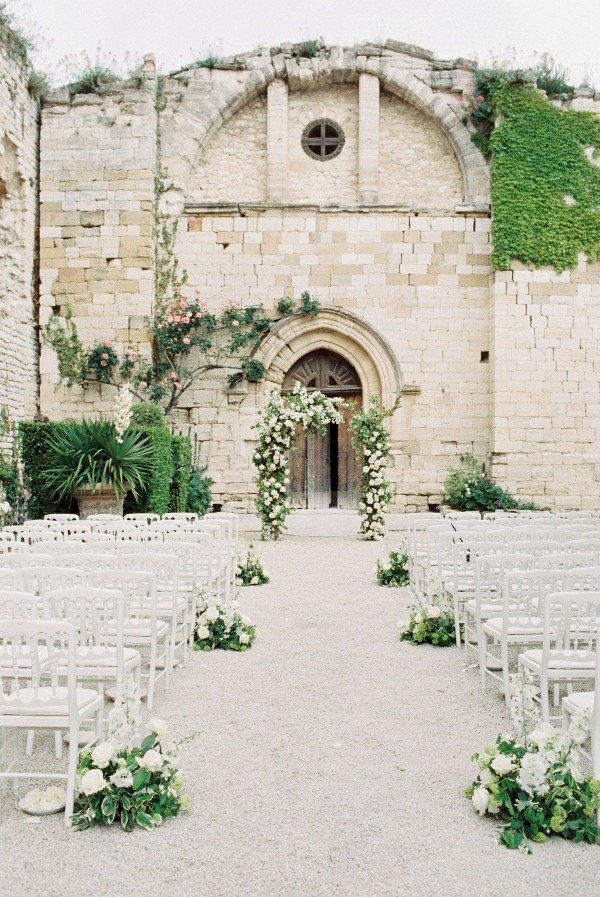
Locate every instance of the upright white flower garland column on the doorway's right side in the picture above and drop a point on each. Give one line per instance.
(372, 443)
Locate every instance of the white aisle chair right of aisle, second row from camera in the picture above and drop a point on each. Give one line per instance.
(568, 653)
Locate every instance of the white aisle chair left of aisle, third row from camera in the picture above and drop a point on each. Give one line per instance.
(142, 627)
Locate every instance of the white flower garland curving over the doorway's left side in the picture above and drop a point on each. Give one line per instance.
(277, 435)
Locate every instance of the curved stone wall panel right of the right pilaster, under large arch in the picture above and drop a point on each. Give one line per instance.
(416, 162)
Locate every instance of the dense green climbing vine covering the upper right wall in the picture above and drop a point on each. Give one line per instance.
(545, 187)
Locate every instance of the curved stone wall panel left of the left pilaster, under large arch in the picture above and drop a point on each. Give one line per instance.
(234, 164)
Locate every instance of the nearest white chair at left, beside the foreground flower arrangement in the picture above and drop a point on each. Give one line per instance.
(54, 707)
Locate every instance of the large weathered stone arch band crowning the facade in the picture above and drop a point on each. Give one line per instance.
(210, 99)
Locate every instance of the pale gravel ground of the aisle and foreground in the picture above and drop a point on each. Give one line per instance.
(332, 761)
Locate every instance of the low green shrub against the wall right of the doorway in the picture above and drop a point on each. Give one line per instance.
(468, 488)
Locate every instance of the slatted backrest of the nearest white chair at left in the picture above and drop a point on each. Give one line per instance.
(41, 645)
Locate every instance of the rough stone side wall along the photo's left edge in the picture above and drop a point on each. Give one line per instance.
(18, 215)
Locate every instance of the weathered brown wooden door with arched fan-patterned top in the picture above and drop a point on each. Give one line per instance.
(324, 471)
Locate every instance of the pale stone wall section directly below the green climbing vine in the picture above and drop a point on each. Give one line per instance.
(546, 372)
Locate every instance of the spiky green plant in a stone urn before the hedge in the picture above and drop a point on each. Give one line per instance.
(91, 462)
